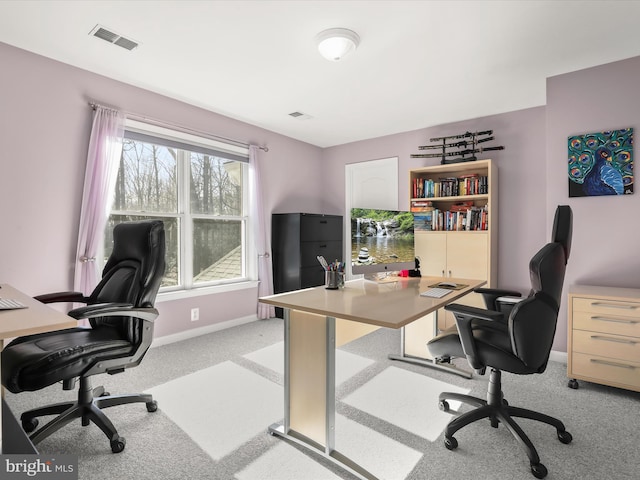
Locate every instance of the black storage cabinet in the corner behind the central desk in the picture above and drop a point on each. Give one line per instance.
(296, 240)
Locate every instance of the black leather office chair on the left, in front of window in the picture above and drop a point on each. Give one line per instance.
(120, 311)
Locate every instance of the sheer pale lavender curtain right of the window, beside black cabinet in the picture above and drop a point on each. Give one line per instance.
(262, 243)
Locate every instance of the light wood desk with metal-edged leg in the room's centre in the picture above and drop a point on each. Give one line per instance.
(316, 321)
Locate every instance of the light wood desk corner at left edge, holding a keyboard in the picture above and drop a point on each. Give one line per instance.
(36, 318)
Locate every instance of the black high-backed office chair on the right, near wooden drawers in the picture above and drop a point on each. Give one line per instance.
(518, 342)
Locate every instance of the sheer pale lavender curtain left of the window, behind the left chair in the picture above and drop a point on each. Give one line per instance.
(103, 160)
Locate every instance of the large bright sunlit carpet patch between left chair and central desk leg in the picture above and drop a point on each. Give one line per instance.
(221, 407)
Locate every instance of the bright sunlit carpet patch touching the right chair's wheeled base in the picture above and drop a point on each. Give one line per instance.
(406, 399)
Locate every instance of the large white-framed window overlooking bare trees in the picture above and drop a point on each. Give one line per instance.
(198, 188)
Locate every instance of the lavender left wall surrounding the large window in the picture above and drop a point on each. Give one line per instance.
(44, 130)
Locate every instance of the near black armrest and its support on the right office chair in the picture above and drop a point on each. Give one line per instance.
(464, 316)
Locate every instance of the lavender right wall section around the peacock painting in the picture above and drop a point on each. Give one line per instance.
(605, 249)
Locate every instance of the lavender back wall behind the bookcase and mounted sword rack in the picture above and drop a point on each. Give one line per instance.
(521, 178)
